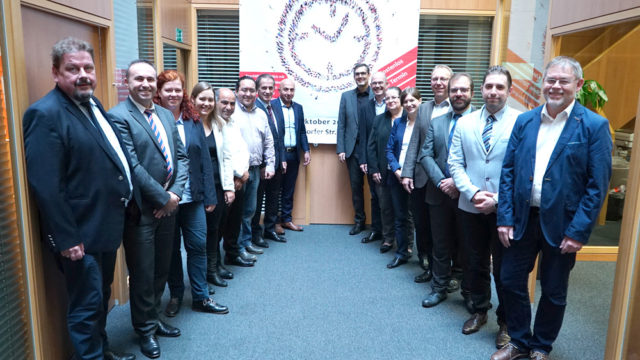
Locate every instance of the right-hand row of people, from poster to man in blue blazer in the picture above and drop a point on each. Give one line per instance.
(483, 190)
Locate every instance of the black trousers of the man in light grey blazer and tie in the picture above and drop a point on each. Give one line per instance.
(480, 236)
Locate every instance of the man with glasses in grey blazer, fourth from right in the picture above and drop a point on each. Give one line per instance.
(414, 178)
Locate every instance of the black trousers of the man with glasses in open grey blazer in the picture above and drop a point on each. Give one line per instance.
(424, 239)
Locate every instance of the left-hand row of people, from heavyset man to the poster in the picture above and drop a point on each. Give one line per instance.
(162, 168)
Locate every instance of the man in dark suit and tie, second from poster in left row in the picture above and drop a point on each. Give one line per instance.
(269, 189)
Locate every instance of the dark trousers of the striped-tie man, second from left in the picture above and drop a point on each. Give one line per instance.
(148, 246)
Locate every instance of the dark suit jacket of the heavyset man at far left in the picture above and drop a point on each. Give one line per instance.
(78, 181)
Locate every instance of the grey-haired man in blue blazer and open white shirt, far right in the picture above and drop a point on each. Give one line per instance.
(554, 180)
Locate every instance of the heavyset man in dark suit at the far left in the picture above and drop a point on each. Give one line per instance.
(79, 172)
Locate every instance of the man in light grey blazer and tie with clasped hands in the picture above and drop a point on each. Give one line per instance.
(475, 162)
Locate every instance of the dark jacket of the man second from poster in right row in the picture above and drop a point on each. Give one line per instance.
(377, 145)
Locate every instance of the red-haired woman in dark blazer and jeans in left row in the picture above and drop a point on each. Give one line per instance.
(198, 196)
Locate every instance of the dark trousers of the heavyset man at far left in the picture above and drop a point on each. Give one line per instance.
(88, 283)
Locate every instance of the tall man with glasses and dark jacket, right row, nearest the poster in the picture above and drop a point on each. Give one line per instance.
(355, 108)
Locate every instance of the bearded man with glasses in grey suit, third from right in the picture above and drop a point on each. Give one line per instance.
(443, 198)
